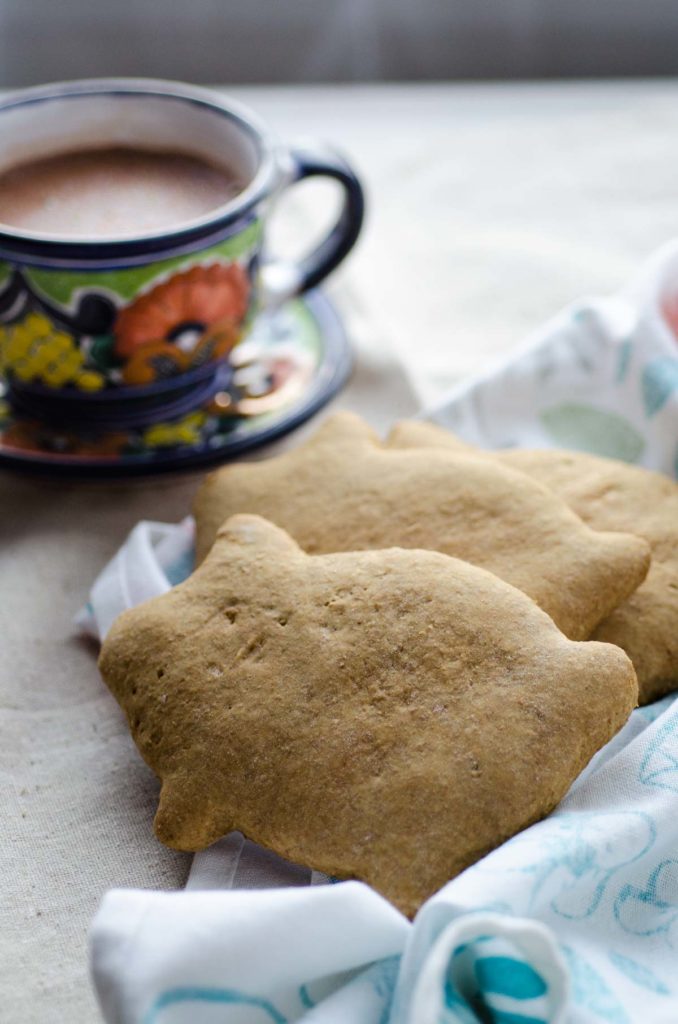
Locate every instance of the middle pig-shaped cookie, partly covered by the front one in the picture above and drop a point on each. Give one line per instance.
(345, 491)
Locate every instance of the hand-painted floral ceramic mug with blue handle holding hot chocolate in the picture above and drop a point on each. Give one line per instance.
(124, 332)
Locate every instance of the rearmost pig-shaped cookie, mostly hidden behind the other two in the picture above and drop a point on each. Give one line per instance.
(608, 495)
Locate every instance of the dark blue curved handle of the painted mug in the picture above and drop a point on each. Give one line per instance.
(282, 281)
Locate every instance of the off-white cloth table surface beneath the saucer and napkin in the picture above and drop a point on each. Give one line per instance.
(490, 208)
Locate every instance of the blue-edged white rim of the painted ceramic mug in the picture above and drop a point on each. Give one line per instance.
(31, 247)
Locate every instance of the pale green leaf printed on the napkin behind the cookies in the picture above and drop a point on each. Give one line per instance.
(588, 430)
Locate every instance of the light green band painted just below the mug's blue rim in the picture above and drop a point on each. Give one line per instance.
(61, 285)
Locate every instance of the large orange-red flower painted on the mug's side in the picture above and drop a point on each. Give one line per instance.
(184, 310)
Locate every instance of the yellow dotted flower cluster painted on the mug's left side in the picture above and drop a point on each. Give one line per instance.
(35, 351)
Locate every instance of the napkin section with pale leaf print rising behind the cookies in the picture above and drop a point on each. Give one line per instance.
(601, 377)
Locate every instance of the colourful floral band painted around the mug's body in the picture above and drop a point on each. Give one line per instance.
(63, 330)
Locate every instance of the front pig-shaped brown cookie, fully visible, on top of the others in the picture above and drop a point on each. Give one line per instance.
(390, 716)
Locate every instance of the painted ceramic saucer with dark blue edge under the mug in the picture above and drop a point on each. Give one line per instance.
(292, 363)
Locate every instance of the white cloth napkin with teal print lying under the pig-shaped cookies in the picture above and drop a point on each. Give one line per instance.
(576, 919)
